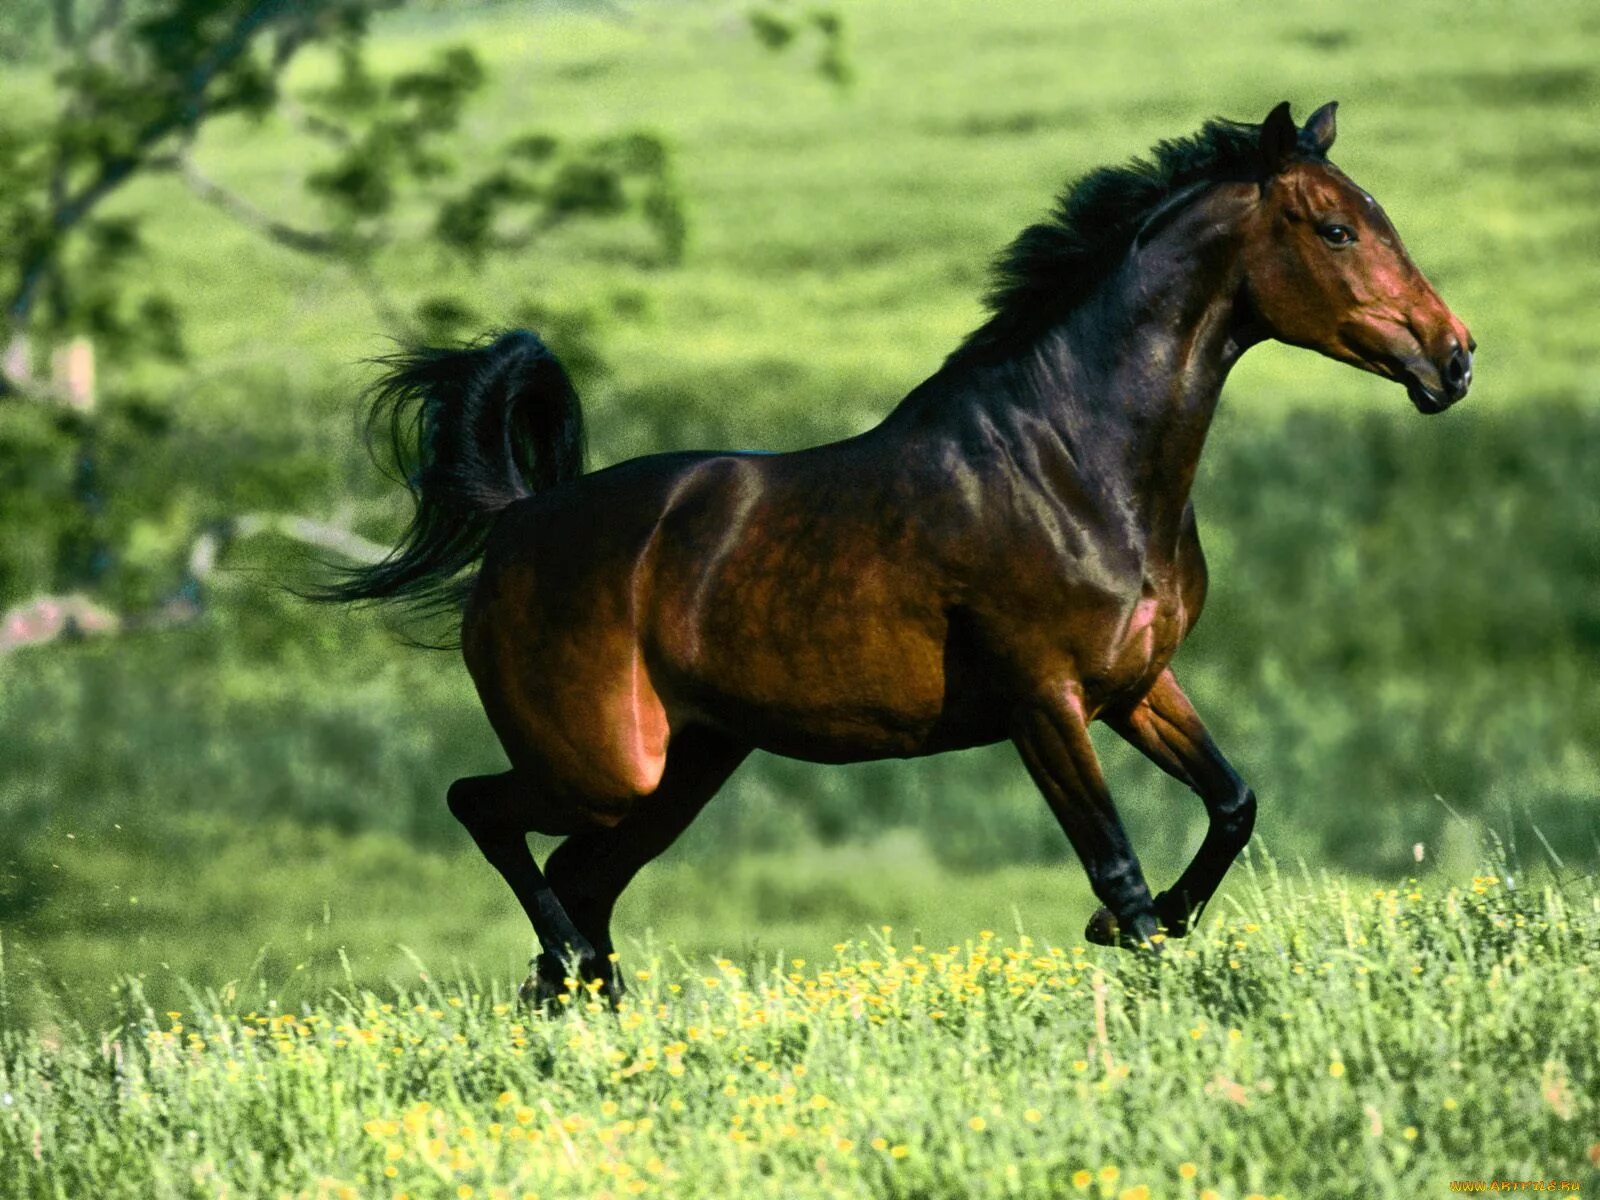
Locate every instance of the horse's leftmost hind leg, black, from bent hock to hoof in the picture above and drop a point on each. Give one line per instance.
(484, 804)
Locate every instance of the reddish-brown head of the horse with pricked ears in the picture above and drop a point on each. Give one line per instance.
(1326, 270)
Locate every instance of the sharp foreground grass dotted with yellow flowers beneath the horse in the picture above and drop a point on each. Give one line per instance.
(1314, 1041)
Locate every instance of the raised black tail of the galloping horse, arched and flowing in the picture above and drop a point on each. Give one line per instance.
(473, 430)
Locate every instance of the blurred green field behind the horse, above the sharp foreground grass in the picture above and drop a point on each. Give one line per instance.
(1404, 622)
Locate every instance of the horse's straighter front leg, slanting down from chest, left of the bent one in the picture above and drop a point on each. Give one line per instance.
(1054, 740)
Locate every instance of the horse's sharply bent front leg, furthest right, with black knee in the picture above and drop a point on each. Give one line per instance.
(1167, 730)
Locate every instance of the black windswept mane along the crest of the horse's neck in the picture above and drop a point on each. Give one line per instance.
(1055, 265)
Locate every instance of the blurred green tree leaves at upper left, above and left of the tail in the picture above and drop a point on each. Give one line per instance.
(130, 98)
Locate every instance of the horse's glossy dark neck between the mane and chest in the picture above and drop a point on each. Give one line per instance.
(1126, 388)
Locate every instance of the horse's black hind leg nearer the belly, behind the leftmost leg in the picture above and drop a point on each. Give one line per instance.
(591, 870)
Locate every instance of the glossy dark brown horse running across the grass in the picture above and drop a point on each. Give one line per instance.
(1012, 554)
